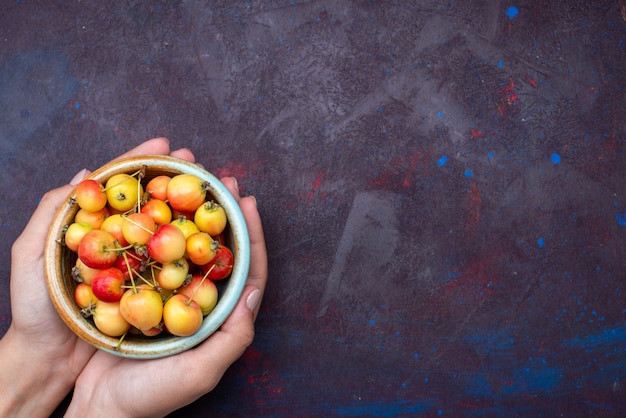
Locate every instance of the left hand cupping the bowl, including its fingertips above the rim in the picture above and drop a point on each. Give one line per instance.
(40, 357)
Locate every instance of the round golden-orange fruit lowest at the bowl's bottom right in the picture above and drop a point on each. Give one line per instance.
(182, 316)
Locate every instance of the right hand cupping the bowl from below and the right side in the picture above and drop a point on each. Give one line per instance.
(116, 386)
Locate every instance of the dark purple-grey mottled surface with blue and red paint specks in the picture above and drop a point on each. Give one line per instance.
(442, 184)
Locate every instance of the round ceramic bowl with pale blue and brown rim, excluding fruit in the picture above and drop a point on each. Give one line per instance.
(59, 261)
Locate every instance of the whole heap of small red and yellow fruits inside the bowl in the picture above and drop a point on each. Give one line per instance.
(148, 256)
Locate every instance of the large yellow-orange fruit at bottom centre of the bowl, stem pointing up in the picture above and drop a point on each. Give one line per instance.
(142, 307)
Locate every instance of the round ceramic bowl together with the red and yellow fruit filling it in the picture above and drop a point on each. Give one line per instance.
(148, 257)
